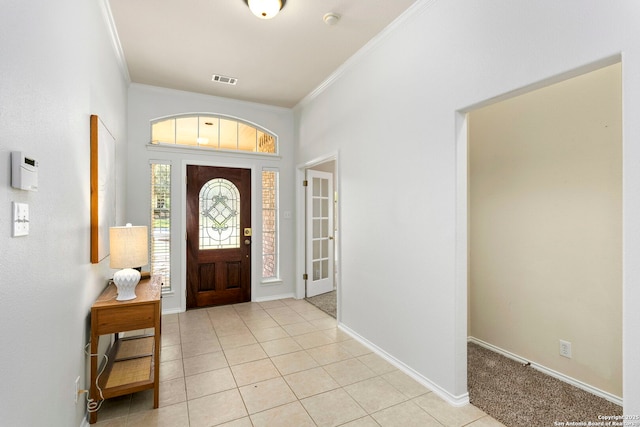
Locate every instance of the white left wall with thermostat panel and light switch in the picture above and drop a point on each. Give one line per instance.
(58, 67)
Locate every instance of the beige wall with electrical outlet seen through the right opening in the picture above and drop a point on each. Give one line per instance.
(545, 226)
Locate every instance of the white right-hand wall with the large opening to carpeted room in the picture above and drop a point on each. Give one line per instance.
(392, 114)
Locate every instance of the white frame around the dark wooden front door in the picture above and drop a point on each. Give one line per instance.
(255, 225)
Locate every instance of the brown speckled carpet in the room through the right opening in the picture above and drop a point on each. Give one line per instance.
(518, 395)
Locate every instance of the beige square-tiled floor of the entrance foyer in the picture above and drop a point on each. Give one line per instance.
(277, 363)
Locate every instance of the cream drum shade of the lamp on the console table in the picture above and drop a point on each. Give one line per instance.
(129, 246)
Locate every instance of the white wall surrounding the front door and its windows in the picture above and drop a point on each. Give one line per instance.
(147, 103)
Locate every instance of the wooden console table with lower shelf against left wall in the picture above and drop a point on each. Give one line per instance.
(134, 363)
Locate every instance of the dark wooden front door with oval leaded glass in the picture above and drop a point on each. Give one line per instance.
(218, 236)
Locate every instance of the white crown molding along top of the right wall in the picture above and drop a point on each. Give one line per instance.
(413, 10)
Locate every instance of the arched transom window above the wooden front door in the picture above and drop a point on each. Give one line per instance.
(213, 132)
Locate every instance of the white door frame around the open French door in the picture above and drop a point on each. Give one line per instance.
(301, 171)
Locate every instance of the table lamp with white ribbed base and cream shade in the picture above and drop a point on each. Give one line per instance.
(129, 247)
